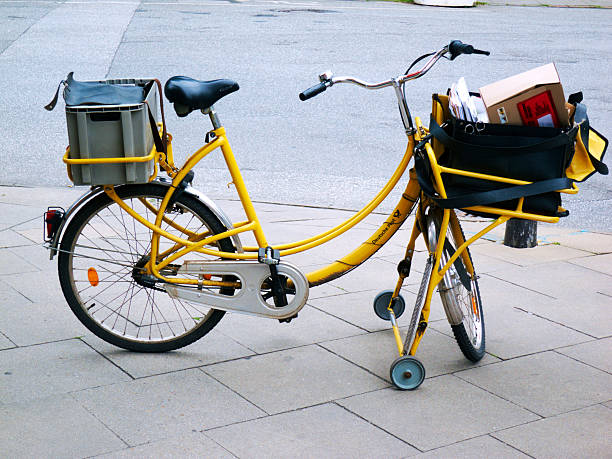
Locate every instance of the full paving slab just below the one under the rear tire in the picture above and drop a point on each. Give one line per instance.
(166, 406)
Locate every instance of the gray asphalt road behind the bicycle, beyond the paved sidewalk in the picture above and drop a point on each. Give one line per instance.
(334, 150)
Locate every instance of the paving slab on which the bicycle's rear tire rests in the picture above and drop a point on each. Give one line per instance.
(212, 348)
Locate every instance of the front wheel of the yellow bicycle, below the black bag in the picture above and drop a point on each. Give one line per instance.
(459, 291)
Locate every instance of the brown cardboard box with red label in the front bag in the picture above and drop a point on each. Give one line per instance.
(533, 98)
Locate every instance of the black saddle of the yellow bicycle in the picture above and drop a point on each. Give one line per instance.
(188, 94)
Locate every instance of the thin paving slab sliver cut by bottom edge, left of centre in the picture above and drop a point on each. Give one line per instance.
(192, 445)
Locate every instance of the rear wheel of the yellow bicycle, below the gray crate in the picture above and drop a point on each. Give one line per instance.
(125, 308)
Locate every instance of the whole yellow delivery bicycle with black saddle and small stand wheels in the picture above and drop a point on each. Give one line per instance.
(153, 267)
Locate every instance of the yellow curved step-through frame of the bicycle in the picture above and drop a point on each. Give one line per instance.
(198, 242)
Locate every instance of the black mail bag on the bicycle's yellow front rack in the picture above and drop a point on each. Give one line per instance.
(534, 154)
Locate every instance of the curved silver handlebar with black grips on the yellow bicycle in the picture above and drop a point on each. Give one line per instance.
(454, 48)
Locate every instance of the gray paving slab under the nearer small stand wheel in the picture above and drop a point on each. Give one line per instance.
(458, 411)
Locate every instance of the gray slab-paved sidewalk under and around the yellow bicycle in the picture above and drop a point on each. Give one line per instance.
(319, 386)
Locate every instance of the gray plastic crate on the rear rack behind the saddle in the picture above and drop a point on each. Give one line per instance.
(112, 131)
